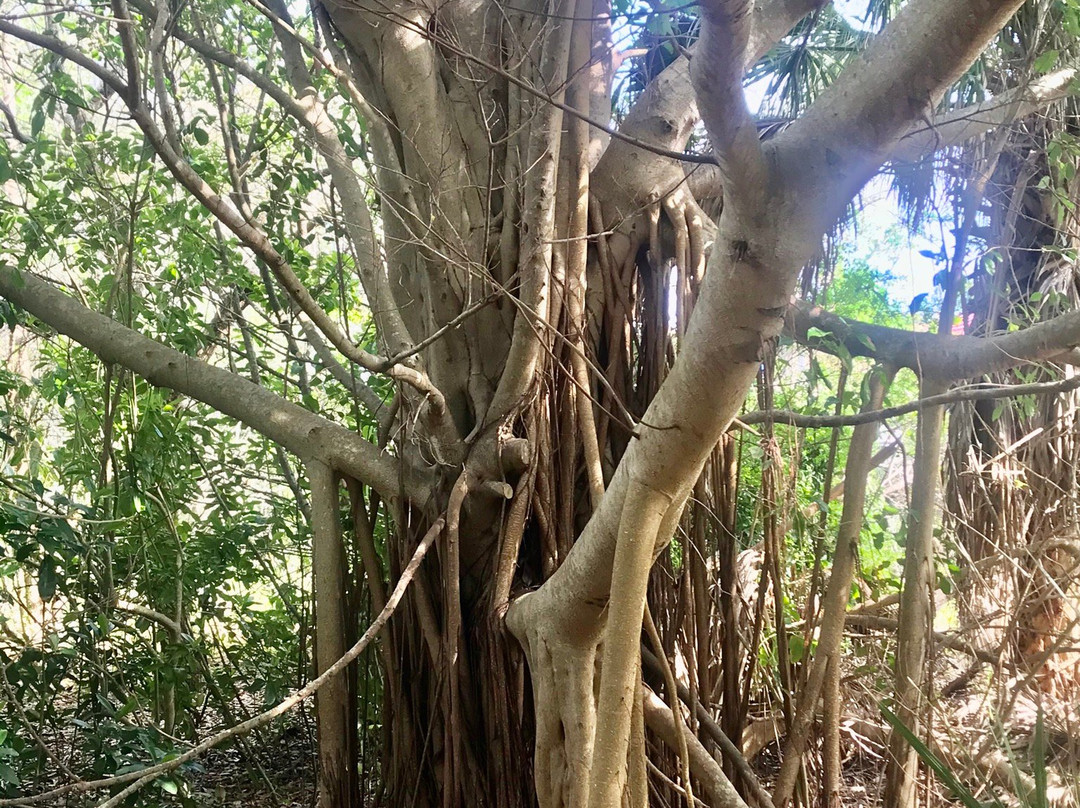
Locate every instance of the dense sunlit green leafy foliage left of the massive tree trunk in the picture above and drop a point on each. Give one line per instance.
(118, 496)
